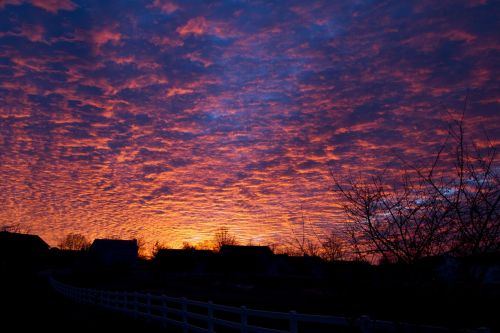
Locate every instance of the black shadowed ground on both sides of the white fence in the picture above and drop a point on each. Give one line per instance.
(28, 303)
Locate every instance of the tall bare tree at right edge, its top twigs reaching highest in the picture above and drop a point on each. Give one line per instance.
(471, 193)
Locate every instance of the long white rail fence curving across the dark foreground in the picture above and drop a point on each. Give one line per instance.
(205, 317)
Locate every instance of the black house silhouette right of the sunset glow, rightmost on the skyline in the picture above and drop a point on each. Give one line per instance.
(249, 260)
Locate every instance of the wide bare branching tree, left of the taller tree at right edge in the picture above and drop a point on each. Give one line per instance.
(395, 222)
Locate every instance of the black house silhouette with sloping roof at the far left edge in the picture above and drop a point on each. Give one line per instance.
(22, 250)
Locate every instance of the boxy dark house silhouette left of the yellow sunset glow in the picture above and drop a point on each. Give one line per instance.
(114, 252)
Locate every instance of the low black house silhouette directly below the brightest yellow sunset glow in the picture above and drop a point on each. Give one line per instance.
(184, 260)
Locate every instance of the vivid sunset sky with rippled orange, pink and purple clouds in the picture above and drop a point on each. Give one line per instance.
(166, 120)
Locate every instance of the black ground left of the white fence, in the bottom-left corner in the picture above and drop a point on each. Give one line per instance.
(28, 304)
